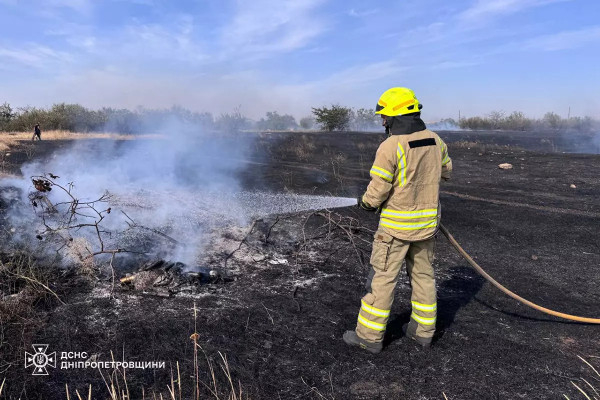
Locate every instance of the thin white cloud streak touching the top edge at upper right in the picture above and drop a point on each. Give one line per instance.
(488, 9)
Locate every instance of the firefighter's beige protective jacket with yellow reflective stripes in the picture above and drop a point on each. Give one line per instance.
(405, 183)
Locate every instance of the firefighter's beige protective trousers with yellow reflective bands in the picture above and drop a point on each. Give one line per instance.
(386, 259)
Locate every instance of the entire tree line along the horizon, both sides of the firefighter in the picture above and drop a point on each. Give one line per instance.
(76, 118)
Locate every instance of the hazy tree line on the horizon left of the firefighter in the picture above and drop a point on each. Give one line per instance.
(76, 118)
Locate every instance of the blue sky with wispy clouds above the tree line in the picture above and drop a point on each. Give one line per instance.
(469, 55)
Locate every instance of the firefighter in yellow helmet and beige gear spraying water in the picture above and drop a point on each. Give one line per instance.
(404, 188)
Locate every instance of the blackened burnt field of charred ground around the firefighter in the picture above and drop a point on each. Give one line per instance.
(288, 285)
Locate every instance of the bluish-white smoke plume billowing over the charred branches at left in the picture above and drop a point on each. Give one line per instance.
(181, 182)
